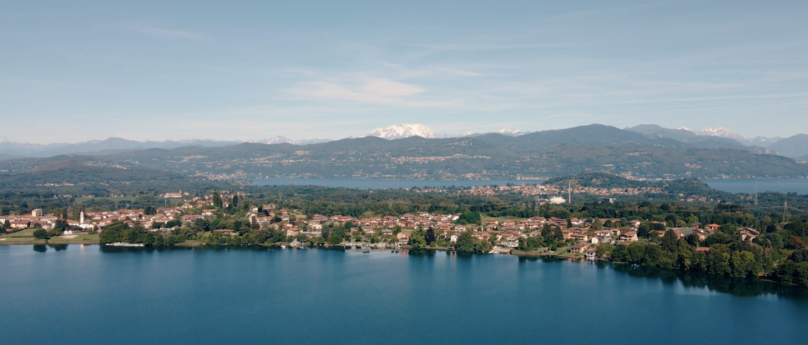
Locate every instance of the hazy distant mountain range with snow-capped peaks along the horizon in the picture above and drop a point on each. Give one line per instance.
(681, 138)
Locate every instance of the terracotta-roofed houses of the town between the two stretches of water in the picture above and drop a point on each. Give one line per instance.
(202, 219)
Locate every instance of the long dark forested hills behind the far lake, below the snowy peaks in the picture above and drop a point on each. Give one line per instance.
(544, 154)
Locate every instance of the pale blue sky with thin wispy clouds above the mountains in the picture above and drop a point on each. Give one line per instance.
(239, 70)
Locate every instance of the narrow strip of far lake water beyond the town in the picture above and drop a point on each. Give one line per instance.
(799, 186)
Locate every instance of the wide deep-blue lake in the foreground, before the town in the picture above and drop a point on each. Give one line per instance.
(95, 295)
